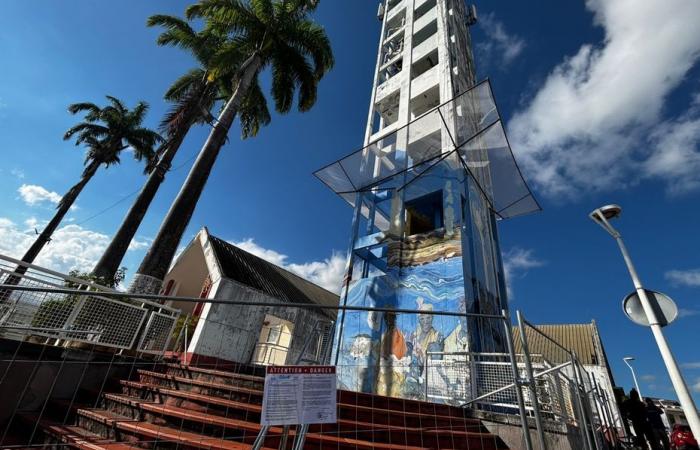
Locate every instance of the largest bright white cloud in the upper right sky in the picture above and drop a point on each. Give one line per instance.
(596, 122)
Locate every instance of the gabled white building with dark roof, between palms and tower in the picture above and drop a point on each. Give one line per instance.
(212, 268)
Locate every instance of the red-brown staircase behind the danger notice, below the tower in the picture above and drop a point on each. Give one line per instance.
(187, 407)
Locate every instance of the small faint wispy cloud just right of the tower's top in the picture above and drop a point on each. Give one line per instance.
(500, 45)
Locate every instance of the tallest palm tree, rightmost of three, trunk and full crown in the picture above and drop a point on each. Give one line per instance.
(264, 33)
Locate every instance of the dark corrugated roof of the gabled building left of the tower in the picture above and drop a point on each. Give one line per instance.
(248, 269)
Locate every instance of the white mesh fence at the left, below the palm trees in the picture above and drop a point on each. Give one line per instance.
(34, 307)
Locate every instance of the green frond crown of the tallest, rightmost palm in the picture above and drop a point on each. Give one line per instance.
(280, 32)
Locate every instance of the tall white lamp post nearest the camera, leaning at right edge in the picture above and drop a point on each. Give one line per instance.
(602, 216)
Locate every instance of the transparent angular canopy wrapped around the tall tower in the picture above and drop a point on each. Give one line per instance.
(469, 127)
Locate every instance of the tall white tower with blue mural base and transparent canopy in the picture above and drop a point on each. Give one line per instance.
(433, 177)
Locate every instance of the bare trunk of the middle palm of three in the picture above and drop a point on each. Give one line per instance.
(109, 263)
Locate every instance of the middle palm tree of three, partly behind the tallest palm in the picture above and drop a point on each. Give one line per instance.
(193, 95)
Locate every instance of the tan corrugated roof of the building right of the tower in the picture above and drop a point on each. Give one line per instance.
(580, 338)
